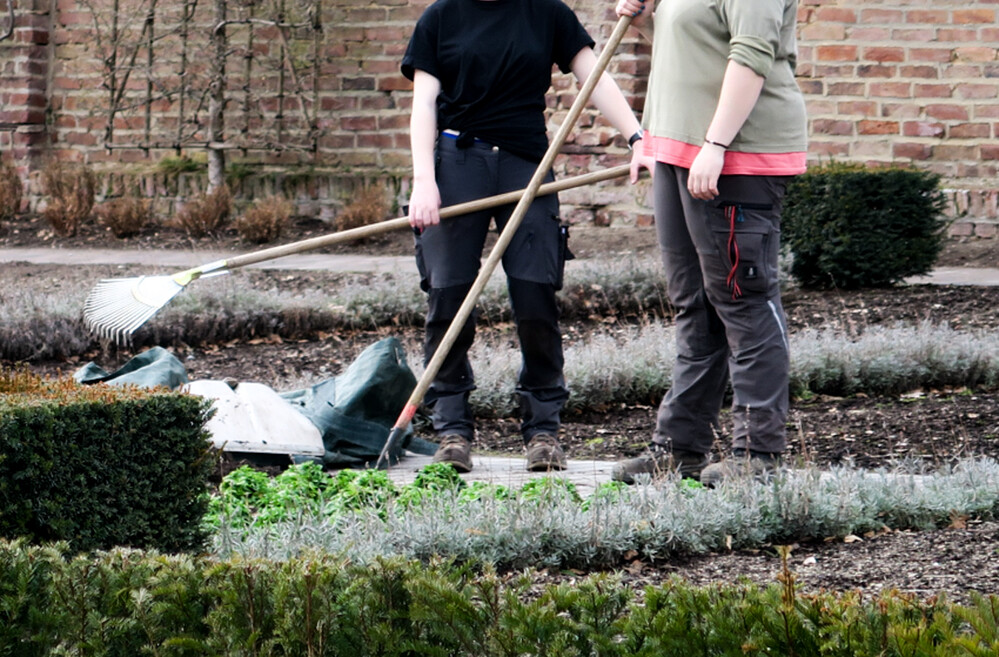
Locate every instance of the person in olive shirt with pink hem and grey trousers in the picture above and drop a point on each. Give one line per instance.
(725, 121)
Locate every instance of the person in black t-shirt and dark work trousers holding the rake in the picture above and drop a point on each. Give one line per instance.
(480, 71)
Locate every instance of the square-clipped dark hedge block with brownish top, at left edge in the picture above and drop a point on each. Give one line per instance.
(102, 466)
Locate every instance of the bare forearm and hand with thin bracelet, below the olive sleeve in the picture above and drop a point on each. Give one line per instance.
(740, 90)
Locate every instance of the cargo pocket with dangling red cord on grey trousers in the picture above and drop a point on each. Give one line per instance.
(744, 247)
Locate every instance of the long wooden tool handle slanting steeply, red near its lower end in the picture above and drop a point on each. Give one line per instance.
(465, 310)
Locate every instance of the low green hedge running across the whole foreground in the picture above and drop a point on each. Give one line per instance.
(127, 603)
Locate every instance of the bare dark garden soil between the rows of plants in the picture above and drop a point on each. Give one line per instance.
(932, 426)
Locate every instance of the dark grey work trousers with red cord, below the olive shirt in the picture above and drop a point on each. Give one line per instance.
(720, 260)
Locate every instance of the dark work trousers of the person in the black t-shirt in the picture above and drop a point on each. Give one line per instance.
(449, 256)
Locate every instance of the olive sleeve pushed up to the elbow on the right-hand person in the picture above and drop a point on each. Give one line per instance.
(755, 29)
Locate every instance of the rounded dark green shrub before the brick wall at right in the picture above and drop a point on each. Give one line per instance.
(851, 227)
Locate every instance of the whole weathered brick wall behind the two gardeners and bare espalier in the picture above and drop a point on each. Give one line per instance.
(887, 81)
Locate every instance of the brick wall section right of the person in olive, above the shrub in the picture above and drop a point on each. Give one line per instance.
(896, 81)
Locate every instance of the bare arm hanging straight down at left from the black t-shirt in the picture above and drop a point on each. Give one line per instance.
(425, 200)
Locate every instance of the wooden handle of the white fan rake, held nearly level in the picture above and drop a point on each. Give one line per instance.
(403, 222)
